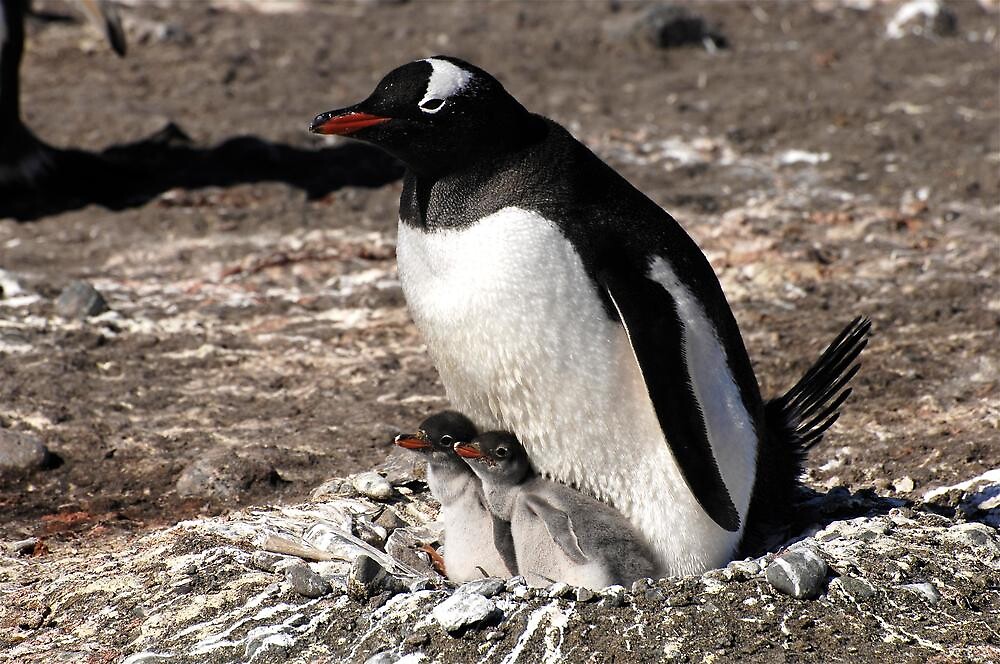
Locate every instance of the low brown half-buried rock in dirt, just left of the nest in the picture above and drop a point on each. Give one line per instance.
(224, 475)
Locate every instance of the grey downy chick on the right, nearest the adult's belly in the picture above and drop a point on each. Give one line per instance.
(559, 534)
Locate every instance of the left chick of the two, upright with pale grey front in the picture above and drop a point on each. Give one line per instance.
(476, 544)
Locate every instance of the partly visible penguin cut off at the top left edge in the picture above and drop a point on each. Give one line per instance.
(25, 160)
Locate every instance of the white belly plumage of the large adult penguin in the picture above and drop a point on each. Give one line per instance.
(522, 343)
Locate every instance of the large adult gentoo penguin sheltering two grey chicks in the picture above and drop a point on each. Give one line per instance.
(561, 304)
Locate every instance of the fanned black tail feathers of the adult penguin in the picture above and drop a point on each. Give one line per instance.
(798, 419)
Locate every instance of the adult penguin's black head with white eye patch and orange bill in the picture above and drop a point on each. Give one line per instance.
(434, 115)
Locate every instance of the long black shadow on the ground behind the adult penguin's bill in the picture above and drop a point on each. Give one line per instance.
(130, 175)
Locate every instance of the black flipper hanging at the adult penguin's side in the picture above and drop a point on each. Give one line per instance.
(655, 331)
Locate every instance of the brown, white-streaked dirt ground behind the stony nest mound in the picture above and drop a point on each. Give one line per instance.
(825, 169)
